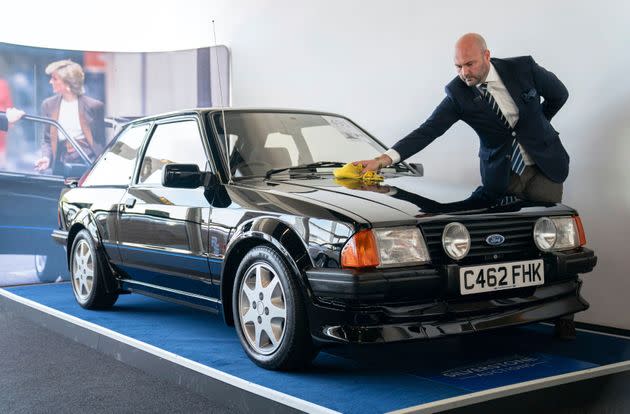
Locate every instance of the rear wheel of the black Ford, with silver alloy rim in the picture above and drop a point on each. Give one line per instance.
(88, 271)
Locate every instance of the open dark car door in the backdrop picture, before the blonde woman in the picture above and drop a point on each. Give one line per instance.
(28, 198)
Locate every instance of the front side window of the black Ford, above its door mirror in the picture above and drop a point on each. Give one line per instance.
(172, 143)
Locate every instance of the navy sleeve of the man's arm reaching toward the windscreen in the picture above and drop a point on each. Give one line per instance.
(442, 118)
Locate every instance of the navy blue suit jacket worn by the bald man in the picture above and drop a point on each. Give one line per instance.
(527, 83)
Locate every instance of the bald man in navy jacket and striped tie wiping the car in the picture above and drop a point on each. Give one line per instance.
(520, 152)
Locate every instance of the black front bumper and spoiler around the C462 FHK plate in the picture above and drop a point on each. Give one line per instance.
(389, 306)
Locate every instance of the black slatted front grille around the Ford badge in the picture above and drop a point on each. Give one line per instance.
(519, 241)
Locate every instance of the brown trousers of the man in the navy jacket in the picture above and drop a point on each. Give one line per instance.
(533, 185)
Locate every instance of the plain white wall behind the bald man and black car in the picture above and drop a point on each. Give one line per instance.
(384, 64)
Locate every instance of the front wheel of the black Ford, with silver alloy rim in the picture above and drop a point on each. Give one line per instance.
(269, 312)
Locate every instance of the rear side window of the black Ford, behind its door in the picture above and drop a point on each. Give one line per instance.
(116, 166)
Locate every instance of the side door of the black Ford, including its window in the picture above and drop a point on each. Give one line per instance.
(162, 232)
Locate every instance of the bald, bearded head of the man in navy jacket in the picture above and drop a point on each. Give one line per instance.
(472, 59)
